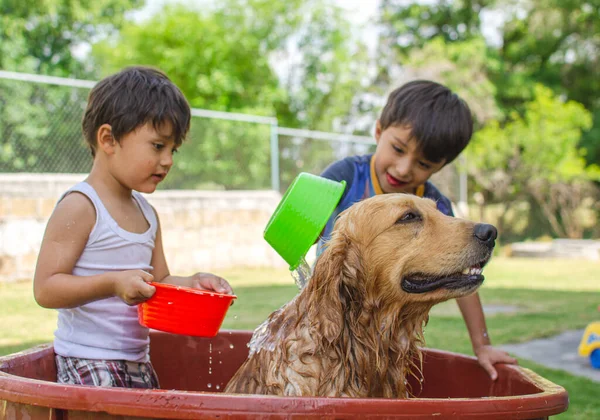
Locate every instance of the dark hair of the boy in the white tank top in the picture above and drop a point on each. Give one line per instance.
(131, 98)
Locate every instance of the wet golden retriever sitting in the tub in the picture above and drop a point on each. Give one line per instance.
(356, 328)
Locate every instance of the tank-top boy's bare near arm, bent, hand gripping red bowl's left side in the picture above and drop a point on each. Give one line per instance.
(65, 238)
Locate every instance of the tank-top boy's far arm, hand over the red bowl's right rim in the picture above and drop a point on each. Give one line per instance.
(161, 272)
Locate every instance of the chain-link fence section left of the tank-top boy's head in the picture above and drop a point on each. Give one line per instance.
(40, 128)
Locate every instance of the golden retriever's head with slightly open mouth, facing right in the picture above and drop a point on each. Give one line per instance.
(408, 250)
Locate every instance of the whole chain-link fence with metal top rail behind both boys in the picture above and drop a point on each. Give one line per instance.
(40, 132)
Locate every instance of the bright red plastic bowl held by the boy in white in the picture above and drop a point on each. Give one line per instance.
(186, 311)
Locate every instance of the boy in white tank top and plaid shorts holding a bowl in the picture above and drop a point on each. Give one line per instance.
(102, 246)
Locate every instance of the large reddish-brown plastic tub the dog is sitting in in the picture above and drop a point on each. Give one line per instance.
(193, 372)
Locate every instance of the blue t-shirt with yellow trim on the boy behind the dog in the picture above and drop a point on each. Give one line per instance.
(361, 183)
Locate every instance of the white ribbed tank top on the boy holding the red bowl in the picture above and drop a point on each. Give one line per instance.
(107, 329)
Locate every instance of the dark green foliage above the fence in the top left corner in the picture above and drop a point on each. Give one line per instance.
(40, 36)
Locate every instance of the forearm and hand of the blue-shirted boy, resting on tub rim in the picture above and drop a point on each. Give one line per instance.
(472, 312)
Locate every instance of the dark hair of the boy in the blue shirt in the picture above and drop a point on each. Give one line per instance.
(440, 120)
